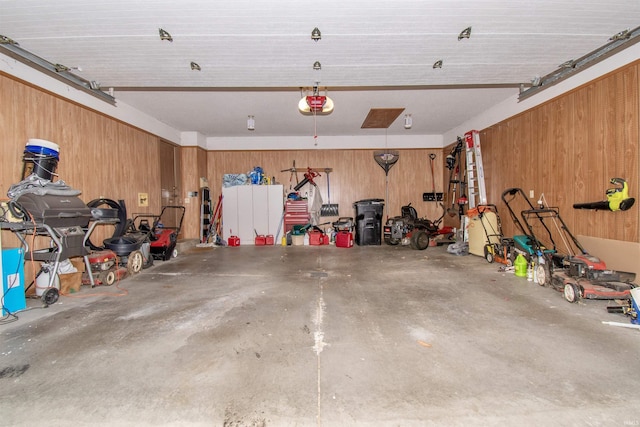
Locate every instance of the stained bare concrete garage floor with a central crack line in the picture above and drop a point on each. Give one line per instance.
(320, 336)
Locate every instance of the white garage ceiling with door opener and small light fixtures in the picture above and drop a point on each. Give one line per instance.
(256, 55)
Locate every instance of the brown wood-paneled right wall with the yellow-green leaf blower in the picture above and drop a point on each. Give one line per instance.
(568, 149)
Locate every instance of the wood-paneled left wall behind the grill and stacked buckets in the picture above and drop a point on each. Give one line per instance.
(100, 156)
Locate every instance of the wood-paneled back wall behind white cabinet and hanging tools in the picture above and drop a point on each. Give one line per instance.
(356, 175)
